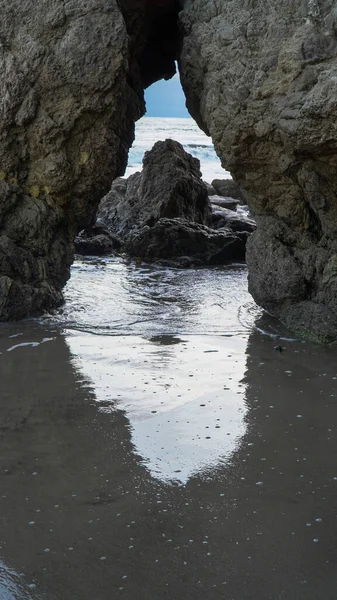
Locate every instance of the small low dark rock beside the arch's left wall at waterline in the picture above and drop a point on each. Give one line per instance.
(96, 241)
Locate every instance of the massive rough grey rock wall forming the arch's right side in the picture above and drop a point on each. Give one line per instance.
(261, 77)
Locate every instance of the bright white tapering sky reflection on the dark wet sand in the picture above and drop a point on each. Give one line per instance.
(185, 402)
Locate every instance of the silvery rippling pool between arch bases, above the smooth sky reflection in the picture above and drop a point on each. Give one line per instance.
(113, 297)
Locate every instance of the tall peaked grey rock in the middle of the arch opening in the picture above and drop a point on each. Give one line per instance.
(169, 185)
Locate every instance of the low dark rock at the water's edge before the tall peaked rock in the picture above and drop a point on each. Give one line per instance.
(174, 238)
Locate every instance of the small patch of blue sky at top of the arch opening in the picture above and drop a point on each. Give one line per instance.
(166, 99)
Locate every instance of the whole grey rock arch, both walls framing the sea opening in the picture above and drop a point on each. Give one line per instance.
(259, 76)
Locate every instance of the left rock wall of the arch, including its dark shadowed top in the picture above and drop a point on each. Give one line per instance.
(71, 86)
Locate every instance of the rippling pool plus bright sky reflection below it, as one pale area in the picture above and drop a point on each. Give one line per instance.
(158, 354)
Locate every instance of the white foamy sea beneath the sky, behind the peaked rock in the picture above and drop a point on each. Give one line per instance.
(152, 129)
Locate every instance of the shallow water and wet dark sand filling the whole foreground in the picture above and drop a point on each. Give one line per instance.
(156, 443)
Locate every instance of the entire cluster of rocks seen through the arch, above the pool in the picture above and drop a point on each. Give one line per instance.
(165, 214)
